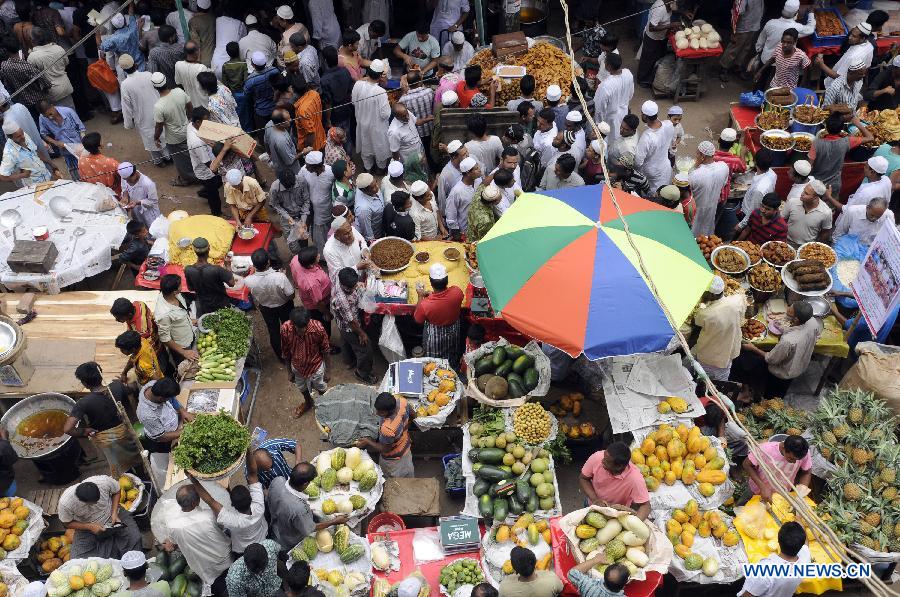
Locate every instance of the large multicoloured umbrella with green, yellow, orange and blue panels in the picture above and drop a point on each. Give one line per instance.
(558, 267)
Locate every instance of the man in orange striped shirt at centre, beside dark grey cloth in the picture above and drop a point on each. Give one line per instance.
(393, 444)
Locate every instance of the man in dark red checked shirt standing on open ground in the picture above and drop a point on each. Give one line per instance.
(305, 347)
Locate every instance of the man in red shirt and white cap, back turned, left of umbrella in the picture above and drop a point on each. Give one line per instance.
(438, 311)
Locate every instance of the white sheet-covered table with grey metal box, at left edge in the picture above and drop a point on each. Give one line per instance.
(84, 238)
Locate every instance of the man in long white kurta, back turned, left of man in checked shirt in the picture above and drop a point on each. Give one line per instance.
(372, 114)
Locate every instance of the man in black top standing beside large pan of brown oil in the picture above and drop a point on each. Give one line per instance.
(95, 417)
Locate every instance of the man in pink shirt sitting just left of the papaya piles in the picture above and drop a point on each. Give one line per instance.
(608, 477)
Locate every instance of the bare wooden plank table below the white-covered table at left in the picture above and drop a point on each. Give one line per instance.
(70, 328)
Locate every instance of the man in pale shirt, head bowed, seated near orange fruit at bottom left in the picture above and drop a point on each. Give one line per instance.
(90, 508)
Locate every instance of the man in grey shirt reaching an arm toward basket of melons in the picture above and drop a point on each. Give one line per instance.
(291, 517)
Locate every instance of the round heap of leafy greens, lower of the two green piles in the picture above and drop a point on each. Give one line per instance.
(211, 443)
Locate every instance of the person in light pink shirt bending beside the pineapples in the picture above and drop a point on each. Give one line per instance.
(790, 456)
